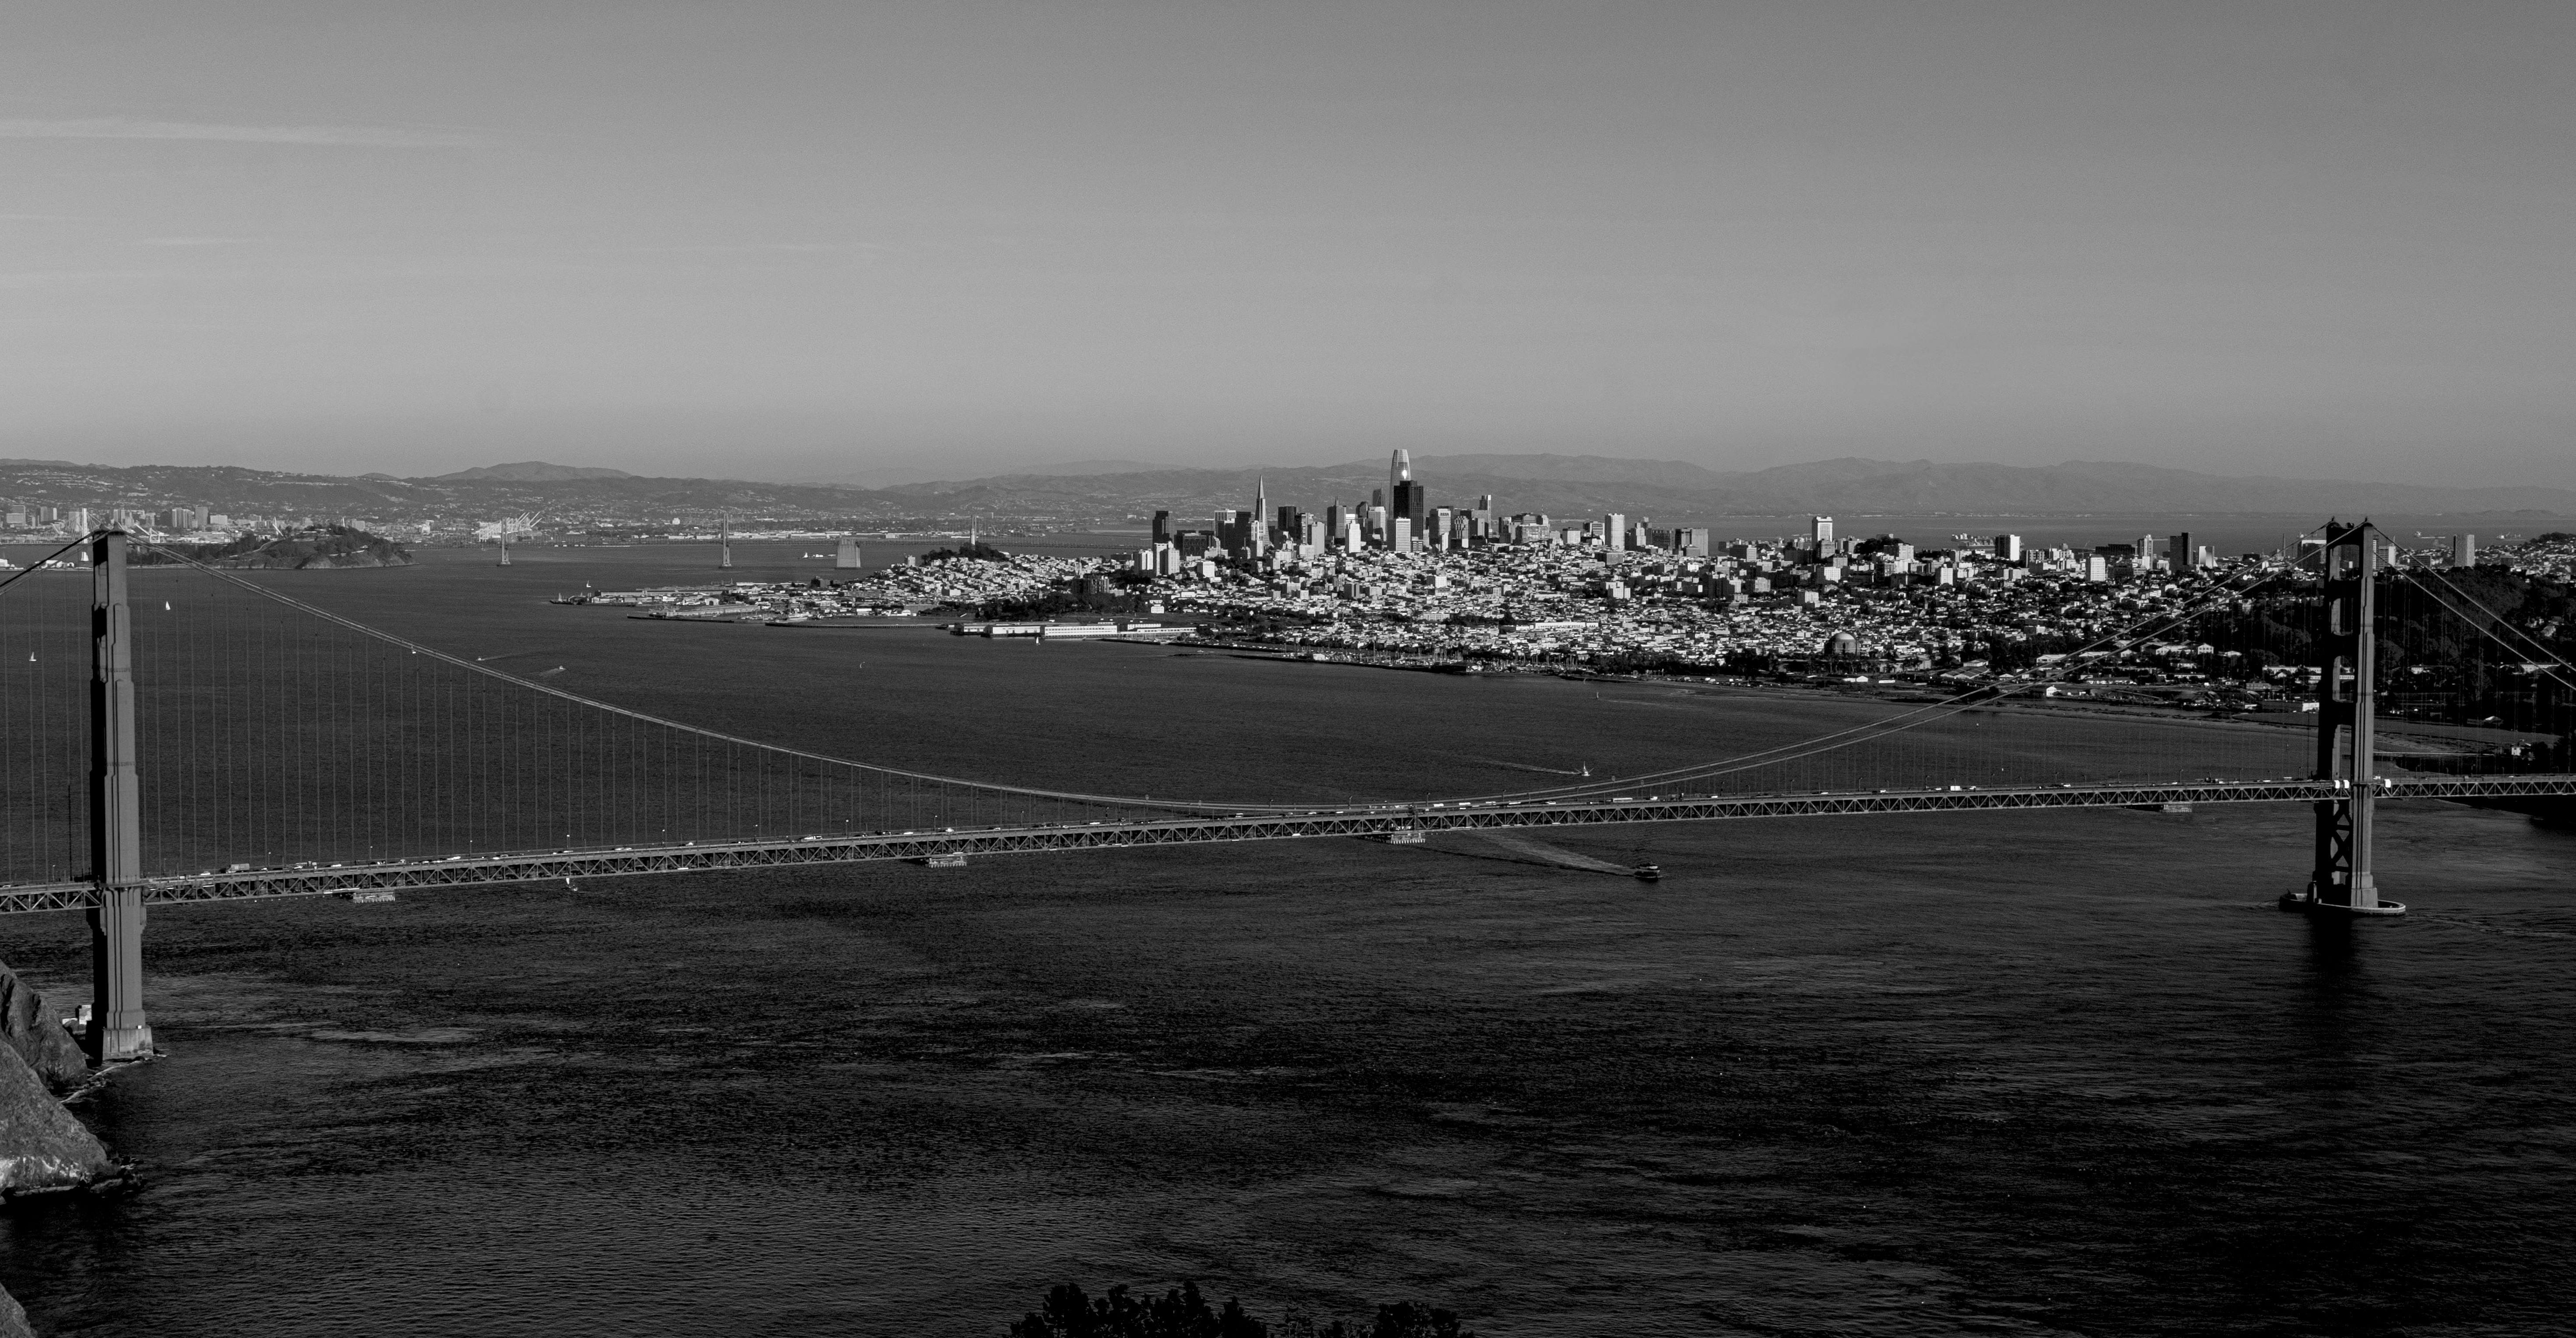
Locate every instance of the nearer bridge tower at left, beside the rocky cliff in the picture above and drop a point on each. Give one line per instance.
(117, 849)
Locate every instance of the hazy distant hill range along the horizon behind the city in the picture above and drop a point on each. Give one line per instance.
(1124, 491)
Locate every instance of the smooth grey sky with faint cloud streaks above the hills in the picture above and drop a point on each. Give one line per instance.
(846, 241)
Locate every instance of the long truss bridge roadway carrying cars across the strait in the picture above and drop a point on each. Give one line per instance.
(1379, 821)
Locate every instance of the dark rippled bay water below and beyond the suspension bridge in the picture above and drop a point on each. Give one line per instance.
(1987, 1074)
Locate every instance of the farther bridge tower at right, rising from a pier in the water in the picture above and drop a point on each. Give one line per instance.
(2345, 749)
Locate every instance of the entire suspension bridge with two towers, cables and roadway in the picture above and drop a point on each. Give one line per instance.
(182, 733)
